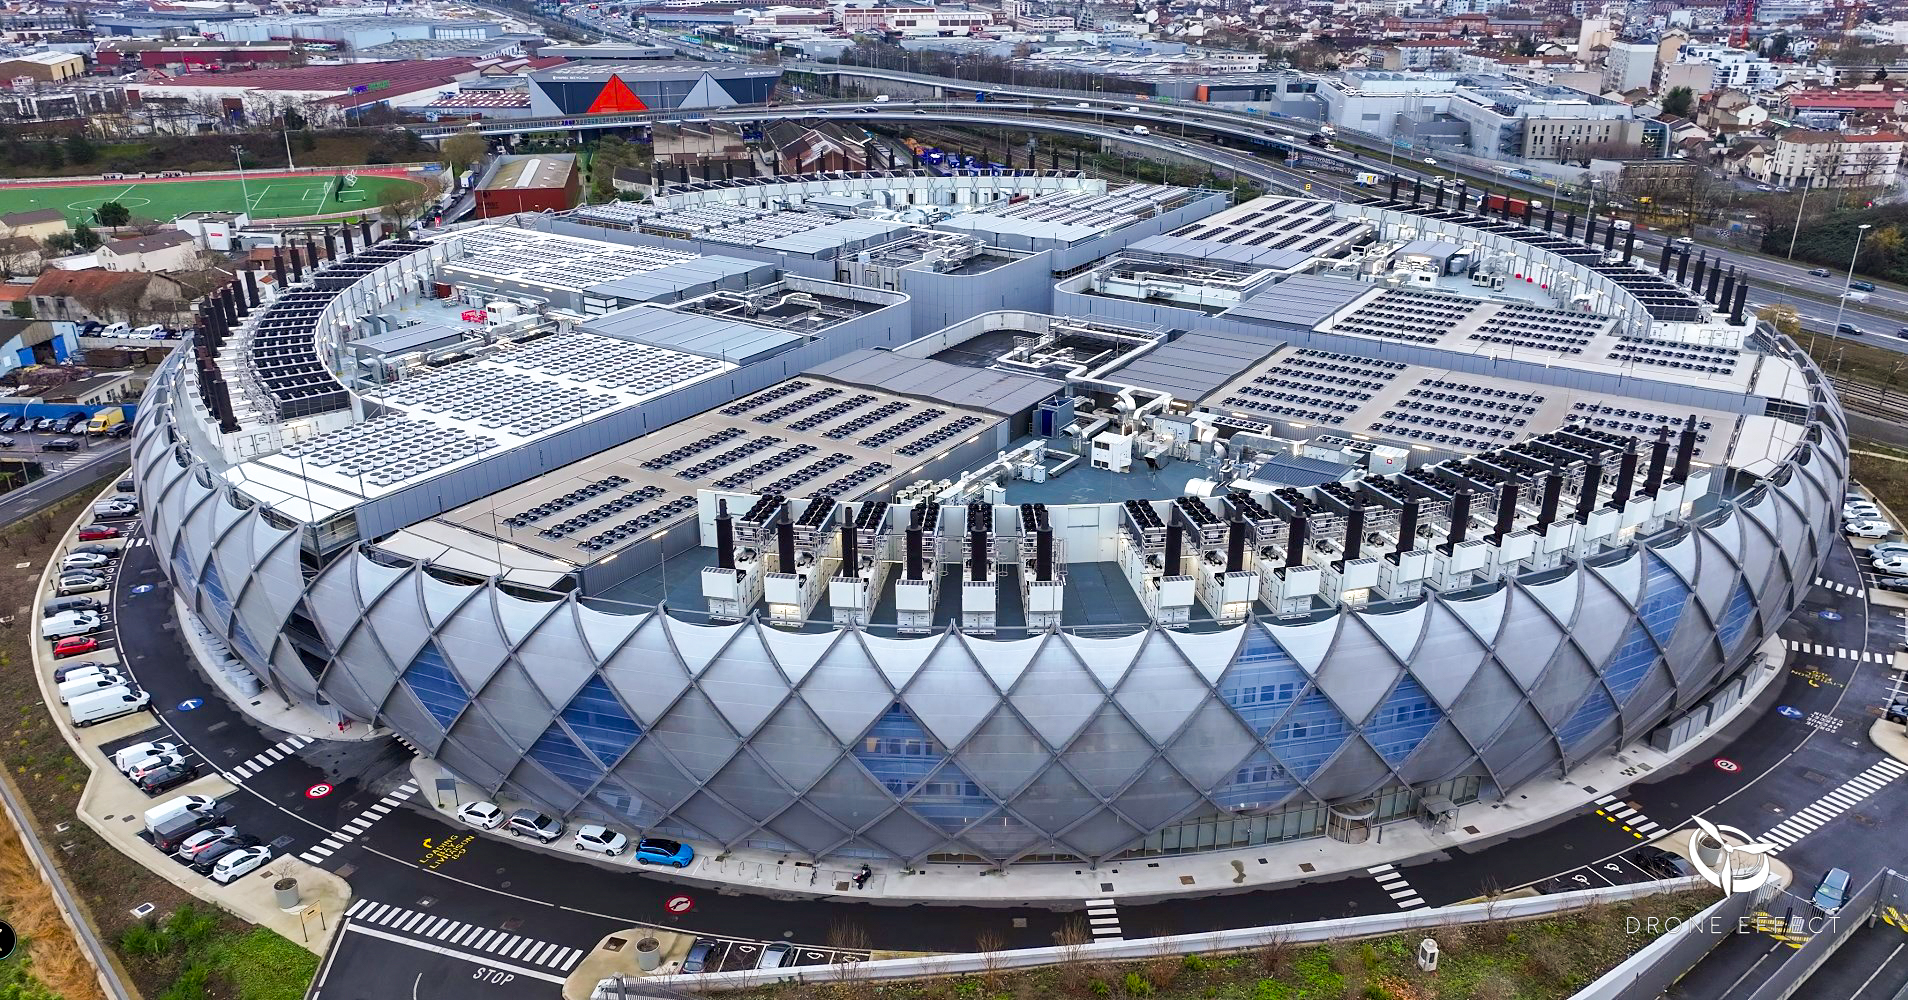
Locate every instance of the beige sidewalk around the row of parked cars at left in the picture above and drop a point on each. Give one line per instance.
(114, 808)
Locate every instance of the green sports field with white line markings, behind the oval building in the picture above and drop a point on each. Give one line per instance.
(150, 199)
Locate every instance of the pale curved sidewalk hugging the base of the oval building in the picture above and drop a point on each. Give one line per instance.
(1157, 879)
